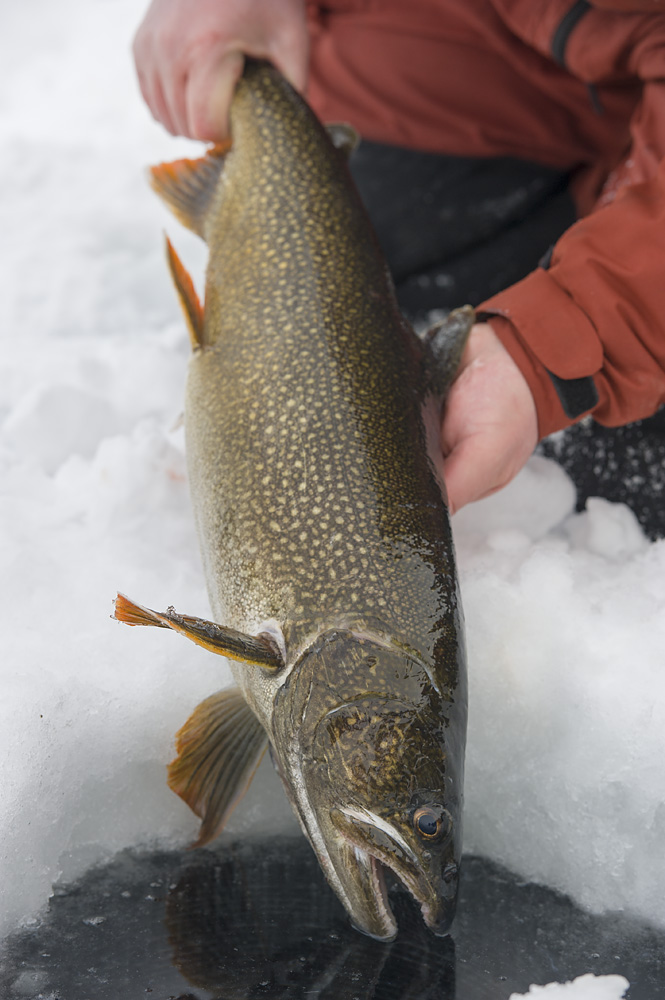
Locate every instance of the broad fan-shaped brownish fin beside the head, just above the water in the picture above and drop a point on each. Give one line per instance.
(219, 749)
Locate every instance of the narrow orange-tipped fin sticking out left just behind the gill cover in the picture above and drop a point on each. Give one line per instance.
(259, 651)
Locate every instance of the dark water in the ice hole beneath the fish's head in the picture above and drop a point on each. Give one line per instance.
(253, 920)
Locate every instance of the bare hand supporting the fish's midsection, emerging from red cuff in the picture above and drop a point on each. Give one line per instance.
(490, 427)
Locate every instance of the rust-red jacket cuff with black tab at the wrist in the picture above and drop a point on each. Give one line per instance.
(554, 345)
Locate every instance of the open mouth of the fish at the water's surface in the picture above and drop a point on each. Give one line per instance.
(389, 850)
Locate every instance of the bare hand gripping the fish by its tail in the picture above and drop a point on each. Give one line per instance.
(189, 56)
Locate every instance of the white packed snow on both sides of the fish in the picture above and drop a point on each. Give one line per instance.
(565, 613)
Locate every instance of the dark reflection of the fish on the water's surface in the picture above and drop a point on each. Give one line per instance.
(262, 923)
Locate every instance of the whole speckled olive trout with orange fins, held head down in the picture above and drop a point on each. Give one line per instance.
(312, 416)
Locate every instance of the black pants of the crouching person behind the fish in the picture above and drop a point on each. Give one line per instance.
(459, 229)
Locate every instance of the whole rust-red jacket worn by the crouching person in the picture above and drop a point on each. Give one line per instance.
(573, 85)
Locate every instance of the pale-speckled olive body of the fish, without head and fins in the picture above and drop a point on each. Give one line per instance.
(305, 438)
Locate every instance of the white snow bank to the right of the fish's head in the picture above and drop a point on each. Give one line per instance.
(567, 702)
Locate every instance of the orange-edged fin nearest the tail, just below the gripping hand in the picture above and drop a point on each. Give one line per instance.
(188, 186)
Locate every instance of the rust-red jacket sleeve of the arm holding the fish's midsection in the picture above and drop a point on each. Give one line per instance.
(599, 309)
